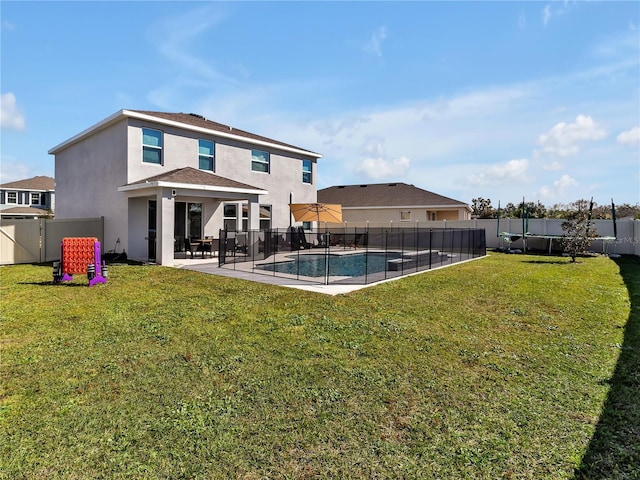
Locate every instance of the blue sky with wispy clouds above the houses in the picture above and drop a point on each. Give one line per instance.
(502, 100)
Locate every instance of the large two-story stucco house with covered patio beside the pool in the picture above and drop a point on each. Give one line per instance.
(157, 178)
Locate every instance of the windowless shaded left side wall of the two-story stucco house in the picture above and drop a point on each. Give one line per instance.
(88, 174)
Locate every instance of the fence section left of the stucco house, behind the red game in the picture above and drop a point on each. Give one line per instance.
(38, 240)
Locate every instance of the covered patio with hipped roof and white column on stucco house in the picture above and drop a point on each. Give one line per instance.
(182, 211)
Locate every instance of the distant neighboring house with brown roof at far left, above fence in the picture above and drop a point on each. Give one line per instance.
(29, 198)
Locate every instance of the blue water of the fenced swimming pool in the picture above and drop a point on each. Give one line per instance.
(353, 265)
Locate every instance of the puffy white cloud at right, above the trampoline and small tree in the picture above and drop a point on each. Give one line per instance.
(564, 139)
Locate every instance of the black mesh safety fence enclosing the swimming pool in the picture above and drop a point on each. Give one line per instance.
(348, 255)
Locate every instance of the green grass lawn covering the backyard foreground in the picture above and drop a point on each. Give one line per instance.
(513, 366)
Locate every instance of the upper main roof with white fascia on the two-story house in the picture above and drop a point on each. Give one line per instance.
(188, 121)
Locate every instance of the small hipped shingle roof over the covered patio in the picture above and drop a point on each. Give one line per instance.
(192, 177)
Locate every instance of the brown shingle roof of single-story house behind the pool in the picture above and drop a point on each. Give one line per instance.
(385, 195)
